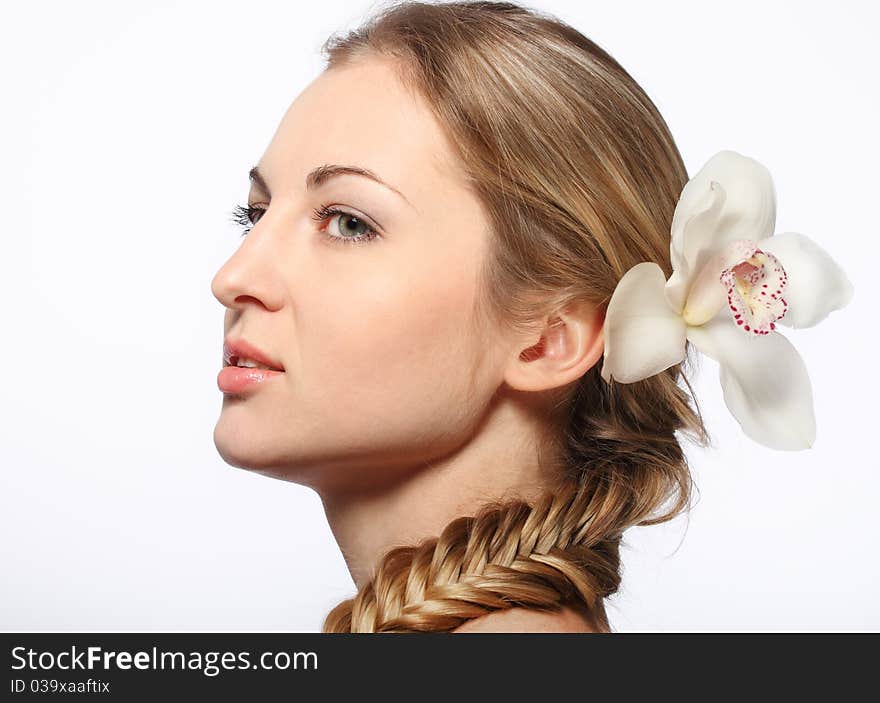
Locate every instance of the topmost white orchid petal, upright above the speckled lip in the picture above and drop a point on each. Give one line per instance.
(703, 222)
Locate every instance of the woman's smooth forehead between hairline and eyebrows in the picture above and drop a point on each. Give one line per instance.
(362, 115)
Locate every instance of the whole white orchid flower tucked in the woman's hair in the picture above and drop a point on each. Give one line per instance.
(732, 282)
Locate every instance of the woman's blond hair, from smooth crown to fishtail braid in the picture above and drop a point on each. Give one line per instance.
(579, 176)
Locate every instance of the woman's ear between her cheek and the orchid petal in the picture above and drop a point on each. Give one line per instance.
(569, 345)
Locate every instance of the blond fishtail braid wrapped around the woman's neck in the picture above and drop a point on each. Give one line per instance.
(544, 556)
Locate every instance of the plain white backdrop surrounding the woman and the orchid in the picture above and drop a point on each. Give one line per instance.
(128, 130)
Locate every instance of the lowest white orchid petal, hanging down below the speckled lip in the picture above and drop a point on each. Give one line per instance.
(765, 382)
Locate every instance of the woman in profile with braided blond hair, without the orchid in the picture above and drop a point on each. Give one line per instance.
(434, 234)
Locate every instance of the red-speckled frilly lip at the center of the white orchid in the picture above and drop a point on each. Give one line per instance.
(754, 291)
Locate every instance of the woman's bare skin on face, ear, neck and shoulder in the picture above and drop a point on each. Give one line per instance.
(395, 405)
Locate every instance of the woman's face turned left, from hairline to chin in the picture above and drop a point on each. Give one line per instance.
(385, 367)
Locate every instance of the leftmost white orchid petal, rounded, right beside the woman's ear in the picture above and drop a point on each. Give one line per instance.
(643, 335)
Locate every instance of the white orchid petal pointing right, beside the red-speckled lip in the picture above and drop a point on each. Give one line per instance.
(816, 283)
